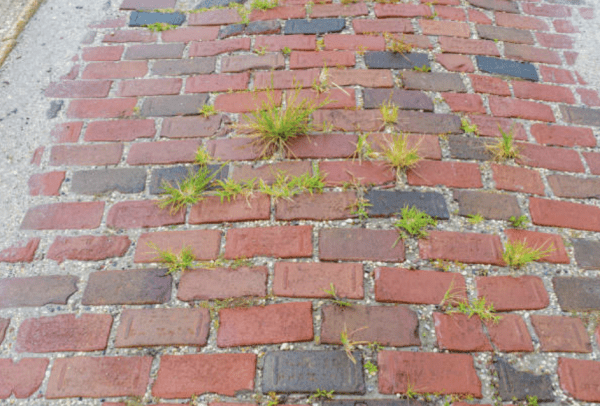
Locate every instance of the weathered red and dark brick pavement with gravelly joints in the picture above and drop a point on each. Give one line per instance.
(111, 327)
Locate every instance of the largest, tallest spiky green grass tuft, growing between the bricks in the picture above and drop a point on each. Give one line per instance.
(274, 126)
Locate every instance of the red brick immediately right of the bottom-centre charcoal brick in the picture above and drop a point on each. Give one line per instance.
(444, 373)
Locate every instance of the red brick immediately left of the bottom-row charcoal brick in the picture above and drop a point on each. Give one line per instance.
(181, 376)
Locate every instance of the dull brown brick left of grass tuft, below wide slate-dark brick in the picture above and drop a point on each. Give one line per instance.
(360, 244)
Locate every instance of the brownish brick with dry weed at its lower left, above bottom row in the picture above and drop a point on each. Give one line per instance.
(396, 326)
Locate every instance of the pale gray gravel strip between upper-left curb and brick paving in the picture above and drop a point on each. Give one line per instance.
(43, 54)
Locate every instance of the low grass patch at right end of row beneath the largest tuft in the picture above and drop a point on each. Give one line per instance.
(286, 187)
